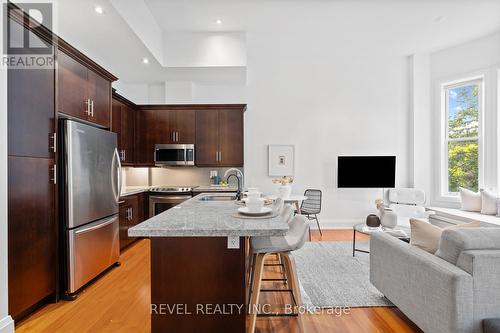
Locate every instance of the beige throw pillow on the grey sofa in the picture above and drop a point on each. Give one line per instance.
(427, 236)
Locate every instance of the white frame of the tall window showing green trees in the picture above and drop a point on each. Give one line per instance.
(444, 193)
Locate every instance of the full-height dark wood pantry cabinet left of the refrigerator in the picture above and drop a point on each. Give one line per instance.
(31, 192)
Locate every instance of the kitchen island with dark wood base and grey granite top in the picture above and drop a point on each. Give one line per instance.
(199, 264)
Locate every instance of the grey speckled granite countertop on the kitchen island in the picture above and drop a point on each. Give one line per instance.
(196, 218)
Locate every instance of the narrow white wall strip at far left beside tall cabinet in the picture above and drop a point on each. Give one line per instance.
(6, 323)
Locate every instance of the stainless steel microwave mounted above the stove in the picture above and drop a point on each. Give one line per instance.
(174, 154)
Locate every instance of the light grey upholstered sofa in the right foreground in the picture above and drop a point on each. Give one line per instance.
(451, 291)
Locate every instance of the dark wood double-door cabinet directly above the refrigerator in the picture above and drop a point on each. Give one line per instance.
(83, 87)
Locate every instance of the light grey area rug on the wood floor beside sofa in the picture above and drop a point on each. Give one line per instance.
(330, 276)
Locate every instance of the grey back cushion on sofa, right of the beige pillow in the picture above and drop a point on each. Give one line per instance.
(454, 241)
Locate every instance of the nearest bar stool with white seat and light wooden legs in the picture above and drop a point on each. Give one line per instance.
(282, 245)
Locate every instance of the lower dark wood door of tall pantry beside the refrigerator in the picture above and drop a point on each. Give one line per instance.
(32, 234)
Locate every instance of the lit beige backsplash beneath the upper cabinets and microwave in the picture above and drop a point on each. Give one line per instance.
(175, 176)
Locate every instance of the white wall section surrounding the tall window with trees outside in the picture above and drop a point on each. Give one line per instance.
(477, 57)
